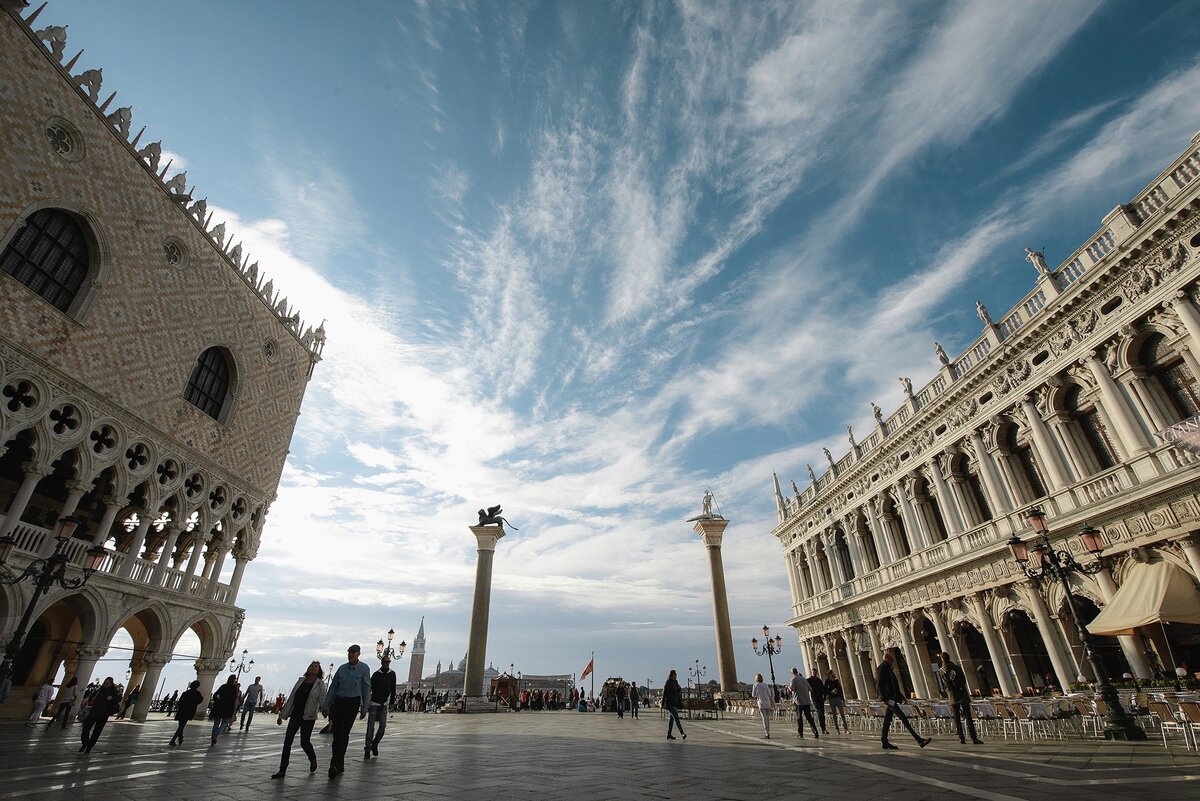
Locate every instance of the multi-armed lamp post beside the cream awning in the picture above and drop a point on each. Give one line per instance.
(1041, 559)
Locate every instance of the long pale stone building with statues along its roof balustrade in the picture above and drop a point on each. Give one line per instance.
(902, 543)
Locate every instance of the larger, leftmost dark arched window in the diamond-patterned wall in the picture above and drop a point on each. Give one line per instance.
(51, 256)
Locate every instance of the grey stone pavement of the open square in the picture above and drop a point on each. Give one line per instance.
(580, 757)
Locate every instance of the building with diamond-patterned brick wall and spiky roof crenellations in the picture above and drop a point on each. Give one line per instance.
(152, 380)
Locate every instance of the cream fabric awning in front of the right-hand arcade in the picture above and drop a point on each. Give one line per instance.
(1151, 594)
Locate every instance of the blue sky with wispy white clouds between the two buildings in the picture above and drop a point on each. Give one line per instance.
(591, 260)
